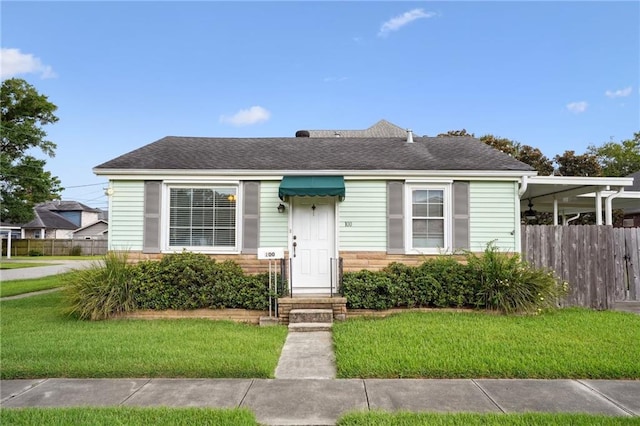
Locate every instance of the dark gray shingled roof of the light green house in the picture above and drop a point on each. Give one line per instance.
(275, 154)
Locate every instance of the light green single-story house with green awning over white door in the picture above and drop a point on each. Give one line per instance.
(331, 203)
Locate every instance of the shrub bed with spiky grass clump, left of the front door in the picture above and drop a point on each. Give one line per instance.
(178, 281)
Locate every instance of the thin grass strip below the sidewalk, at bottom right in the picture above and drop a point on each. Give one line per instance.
(468, 419)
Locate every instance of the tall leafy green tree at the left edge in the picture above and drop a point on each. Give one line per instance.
(23, 180)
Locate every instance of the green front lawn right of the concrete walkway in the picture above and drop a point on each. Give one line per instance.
(568, 343)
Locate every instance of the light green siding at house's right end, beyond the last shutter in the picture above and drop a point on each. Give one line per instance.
(492, 209)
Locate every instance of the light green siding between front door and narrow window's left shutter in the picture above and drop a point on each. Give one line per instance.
(365, 210)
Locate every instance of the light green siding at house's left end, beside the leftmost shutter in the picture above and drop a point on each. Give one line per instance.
(126, 215)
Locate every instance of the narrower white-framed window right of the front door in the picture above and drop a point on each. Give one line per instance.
(427, 230)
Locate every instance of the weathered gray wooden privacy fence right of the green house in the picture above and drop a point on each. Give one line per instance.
(600, 263)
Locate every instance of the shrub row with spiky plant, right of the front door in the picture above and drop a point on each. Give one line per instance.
(493, 280)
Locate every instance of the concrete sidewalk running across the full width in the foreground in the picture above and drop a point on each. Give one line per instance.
(322, 401)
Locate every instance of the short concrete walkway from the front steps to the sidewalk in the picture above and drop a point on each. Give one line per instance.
(307, 355)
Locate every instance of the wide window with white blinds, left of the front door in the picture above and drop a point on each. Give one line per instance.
(202, 217)
